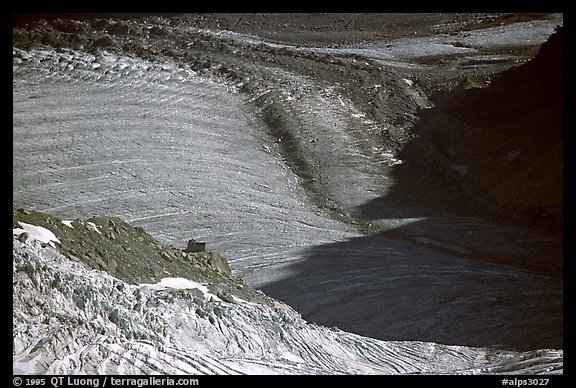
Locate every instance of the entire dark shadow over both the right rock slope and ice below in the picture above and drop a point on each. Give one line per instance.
(441, 260)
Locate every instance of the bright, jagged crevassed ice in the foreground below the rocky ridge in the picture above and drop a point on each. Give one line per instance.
(69, 319)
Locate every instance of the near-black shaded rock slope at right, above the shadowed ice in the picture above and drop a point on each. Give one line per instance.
(498, 150)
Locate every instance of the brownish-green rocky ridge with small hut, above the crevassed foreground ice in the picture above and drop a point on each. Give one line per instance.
(130, 254)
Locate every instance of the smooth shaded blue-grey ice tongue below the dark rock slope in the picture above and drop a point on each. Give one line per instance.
(395, 290)
